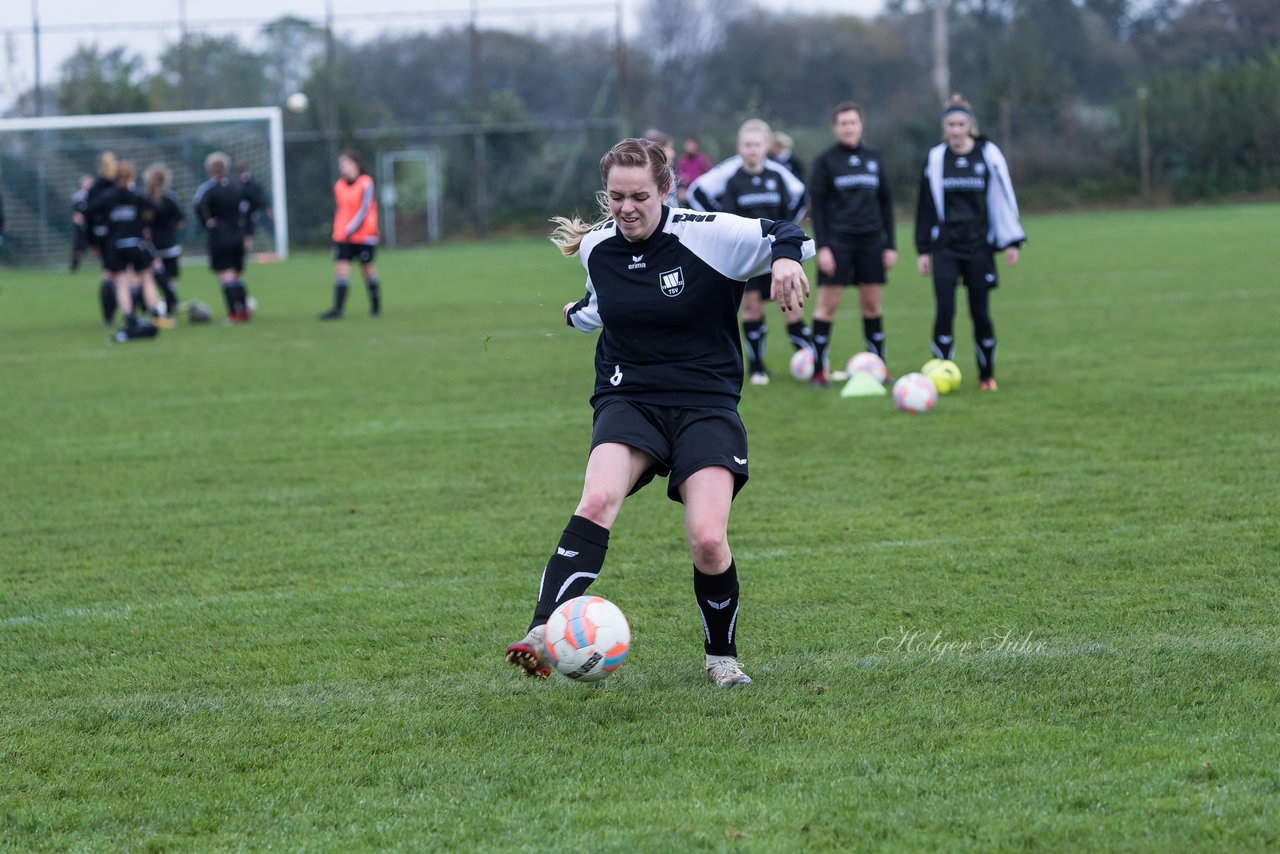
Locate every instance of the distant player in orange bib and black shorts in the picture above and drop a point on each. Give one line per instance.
(355, 234)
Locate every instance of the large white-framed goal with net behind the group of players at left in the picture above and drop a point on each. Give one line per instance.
(43, 161)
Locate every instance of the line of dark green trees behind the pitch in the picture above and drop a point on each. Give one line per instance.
(1072, 89)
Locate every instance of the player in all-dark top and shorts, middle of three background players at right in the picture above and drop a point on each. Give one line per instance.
(853, 223)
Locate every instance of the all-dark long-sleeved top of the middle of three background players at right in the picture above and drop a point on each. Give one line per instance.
(851, 197)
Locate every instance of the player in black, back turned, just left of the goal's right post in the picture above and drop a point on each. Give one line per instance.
(218, 207)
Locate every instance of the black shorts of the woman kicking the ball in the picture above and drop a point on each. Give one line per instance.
(682, 440)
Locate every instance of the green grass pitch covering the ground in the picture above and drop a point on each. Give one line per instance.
(257, 581)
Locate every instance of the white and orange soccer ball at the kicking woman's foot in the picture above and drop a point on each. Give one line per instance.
(588, 638)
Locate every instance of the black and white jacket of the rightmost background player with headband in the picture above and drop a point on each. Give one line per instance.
(967, 204)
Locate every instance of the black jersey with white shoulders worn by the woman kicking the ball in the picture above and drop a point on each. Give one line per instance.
(668, 307)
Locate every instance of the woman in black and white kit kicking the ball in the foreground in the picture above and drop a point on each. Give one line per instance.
(664, 287)
